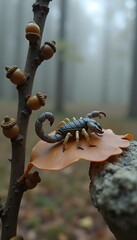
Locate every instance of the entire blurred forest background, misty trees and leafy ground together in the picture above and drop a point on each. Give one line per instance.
(94, 69)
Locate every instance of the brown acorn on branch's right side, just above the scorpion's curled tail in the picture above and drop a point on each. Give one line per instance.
(35, 102)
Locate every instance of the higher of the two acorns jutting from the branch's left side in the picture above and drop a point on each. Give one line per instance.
(16, 75)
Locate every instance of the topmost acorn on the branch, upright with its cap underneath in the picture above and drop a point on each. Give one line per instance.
(32, 32)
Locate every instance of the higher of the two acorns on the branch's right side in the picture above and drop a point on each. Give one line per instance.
(47, 50)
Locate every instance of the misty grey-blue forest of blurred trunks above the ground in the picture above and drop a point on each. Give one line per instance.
(95, 62)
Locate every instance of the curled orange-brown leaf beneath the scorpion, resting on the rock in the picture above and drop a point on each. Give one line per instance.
(49, 156)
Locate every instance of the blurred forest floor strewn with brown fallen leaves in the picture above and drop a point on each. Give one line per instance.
(59, 208)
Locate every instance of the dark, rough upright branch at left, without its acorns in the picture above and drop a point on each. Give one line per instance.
(10, 211)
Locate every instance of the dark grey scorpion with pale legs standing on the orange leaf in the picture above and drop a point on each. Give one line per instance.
(67, 128)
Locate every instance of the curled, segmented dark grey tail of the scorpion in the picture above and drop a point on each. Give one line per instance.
(40, 132)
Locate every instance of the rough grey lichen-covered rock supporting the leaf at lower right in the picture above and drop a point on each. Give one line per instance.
(113, 191)
